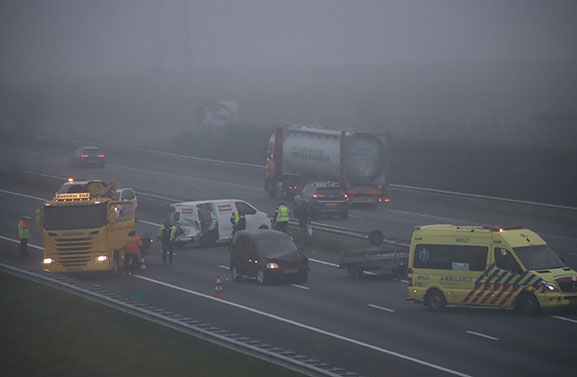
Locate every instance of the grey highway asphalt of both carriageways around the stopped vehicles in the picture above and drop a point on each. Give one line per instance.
(364, 325)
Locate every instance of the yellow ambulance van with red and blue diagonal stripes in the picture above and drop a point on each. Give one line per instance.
(475, 265)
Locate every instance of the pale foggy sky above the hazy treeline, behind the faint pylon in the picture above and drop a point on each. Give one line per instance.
(72, 38)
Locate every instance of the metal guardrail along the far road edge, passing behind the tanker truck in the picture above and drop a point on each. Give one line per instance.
(395, 186)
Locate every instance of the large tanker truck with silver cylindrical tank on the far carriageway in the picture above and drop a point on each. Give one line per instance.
(358, 161)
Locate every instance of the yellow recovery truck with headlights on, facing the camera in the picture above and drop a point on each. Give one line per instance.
(86, 229)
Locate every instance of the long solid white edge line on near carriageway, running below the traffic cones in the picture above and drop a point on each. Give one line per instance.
(310, 328)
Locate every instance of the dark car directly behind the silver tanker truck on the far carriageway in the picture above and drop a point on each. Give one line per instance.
(323, 198)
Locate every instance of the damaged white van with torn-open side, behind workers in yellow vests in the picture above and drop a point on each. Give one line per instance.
(193, 219)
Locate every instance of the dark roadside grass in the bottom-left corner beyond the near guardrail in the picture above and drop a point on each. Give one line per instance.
(46, 332)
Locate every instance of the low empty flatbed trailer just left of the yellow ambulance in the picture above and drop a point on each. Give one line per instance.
(380, 259)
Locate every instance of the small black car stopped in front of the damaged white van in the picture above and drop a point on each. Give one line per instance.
(266, 255)
